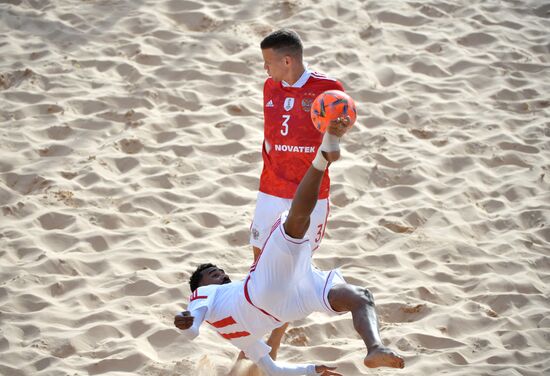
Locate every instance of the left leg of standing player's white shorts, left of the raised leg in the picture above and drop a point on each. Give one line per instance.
(268, 210)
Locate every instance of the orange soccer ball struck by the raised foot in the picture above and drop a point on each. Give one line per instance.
(331, 105)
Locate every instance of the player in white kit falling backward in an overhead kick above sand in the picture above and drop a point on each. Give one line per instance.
(283, 286)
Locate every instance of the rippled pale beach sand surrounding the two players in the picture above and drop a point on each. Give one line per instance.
(130, 135)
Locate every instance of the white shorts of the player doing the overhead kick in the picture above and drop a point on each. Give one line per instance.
(284, 284)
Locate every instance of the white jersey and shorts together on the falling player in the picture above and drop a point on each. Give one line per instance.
(282, 286)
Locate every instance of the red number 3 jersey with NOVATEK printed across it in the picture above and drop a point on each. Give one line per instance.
(290, 139)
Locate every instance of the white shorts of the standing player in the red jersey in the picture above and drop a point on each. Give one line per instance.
(269, 209)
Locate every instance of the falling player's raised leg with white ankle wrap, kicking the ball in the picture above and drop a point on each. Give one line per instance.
(307, 193)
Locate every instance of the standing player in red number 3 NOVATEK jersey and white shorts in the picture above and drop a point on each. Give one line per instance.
(290, 141)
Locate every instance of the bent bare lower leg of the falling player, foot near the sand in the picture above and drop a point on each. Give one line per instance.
(360, 303)
